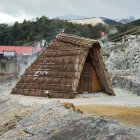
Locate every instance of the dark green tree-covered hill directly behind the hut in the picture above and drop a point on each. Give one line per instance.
(44, 28)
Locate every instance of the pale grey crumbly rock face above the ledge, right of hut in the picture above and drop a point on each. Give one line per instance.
(125, 57)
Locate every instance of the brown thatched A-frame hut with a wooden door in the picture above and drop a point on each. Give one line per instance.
(69, 65)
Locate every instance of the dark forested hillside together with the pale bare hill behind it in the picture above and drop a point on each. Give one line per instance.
(30, 31)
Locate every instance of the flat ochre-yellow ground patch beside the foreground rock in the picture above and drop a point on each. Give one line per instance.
(127, 115)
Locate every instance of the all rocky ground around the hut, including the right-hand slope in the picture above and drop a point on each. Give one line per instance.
(27, 118)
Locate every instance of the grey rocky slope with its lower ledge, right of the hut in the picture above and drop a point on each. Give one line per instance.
(123, 62)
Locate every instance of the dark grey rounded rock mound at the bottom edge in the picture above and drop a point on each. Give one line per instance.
(107, 131)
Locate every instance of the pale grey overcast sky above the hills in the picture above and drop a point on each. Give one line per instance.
(12, 10)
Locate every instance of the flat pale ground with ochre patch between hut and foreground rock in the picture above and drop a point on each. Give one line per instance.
(124, 107)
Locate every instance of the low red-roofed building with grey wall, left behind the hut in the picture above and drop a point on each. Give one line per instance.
(14, 59)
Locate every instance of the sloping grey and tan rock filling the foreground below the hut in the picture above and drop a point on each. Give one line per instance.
(53, 121)
